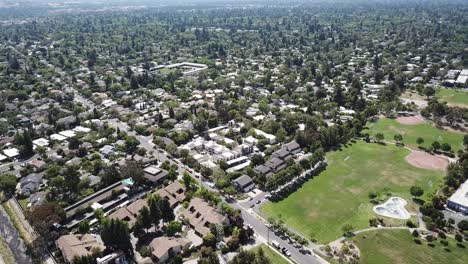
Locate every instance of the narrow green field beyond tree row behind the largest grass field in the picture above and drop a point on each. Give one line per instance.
(390, 127)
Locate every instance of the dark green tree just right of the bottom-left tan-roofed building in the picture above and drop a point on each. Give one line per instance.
(115, 235)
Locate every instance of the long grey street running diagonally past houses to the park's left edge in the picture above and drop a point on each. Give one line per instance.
(249, 216)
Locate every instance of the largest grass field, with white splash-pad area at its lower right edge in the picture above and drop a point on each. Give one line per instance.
(339, 195)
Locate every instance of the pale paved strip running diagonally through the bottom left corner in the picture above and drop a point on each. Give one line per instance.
(12, 238)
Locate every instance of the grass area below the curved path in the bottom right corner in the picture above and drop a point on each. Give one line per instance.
(397, 246)
